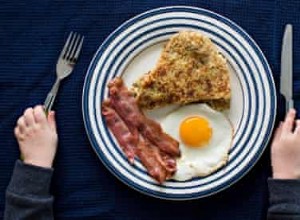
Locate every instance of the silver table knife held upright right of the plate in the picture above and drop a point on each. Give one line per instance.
(286, 75)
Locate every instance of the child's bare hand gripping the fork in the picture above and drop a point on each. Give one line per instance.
(37, 137)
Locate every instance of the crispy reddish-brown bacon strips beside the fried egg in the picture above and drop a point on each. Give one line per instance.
(138, 135)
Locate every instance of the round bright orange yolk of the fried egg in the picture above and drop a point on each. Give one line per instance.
(195, 131)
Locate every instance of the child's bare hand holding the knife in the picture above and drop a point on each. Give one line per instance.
(285, 149)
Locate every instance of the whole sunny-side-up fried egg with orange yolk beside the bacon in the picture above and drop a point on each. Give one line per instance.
(205, 137)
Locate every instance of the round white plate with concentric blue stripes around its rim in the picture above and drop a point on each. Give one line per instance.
(132, 50)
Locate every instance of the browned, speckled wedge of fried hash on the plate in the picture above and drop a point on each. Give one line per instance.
(190, 69)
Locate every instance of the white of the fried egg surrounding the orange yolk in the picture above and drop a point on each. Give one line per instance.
(204, 160)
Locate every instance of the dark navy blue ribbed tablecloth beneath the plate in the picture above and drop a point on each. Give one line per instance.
(31, 35)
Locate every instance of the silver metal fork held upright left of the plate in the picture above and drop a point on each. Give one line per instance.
(65, 65)
